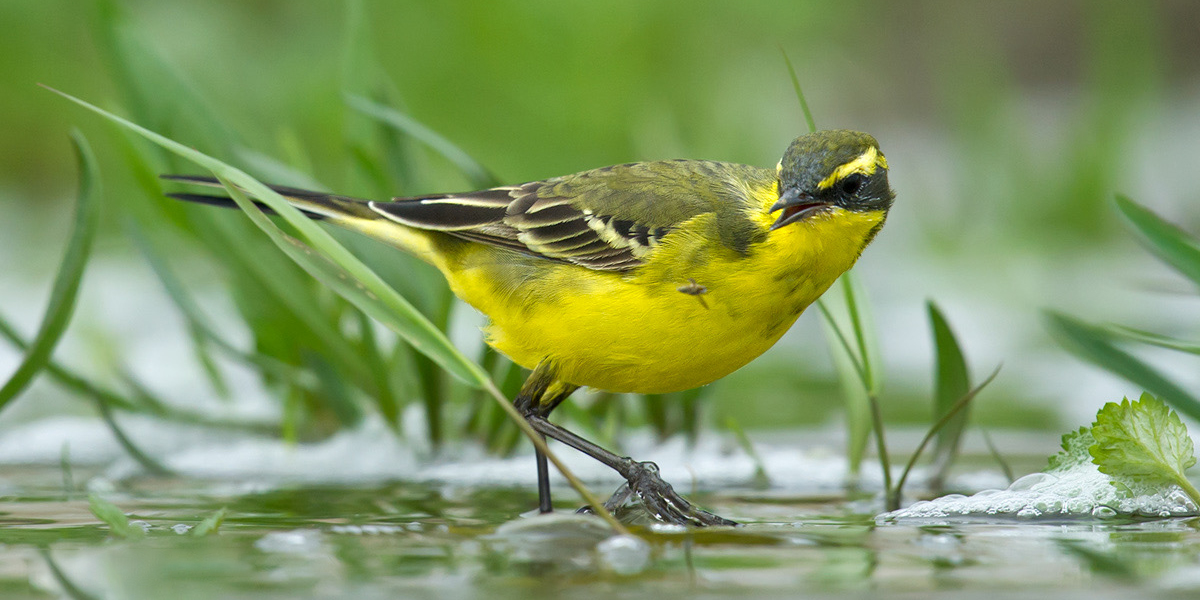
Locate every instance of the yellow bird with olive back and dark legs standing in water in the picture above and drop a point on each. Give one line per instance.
(643, 278)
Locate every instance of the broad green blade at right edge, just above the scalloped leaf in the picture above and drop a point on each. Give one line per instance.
(1095, 345)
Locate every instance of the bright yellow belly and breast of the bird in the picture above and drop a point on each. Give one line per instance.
(637, 333)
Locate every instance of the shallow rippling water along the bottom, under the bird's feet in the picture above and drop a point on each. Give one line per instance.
(418, 541)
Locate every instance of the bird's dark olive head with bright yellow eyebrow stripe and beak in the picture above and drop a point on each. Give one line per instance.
(831, 170)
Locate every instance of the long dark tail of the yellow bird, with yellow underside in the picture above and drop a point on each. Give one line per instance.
(353, 214)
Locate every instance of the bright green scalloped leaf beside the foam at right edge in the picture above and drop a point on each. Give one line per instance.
(1143, 442)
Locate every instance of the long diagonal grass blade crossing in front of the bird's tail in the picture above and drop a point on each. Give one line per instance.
(350, 278)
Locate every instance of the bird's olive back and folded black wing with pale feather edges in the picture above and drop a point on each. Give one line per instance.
(609, 219)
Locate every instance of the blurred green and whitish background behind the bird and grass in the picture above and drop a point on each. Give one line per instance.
(1009, 128)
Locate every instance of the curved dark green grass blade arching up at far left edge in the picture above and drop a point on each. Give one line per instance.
(70, 277)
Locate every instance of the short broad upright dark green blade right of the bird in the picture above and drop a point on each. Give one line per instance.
(952, 382)
